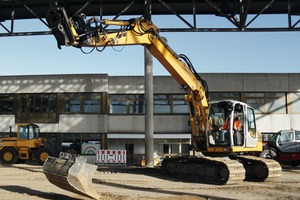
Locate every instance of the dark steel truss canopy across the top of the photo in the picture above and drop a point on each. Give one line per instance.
(240, 13)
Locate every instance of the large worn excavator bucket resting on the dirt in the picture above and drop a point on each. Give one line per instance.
(71, 173)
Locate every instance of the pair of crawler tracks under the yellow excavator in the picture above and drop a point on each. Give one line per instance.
(223, 171)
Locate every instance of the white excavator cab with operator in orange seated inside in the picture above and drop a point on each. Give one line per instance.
(231, 127)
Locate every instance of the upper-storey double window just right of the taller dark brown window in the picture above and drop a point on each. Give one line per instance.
(81, 103)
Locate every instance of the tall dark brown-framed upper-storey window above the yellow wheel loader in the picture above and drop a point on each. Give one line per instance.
(40, 108)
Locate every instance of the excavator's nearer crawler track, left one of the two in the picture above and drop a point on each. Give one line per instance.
(206, 169)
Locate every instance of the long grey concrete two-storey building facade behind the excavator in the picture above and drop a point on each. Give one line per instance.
(91, 111)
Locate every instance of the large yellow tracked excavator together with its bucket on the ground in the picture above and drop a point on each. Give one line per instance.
(227, 158)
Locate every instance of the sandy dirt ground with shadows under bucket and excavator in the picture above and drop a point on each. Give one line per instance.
(28, 182)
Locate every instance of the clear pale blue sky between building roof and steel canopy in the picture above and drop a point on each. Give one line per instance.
(261, 52)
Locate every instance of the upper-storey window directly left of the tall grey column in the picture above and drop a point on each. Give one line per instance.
(127, 104)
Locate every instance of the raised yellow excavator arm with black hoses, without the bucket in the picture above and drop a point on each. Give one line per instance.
(80, 33)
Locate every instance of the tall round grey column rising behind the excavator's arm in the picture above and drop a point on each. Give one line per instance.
(149, 143)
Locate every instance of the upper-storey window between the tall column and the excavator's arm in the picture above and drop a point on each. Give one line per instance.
(170, 104)
